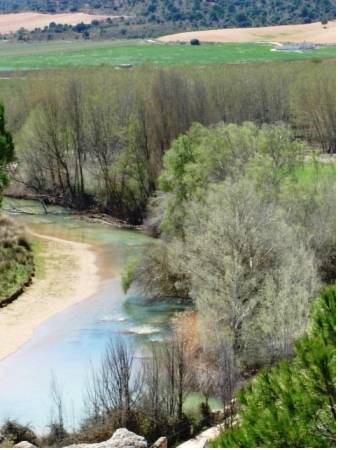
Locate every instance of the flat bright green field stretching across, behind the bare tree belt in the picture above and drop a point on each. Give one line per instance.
(21, 56)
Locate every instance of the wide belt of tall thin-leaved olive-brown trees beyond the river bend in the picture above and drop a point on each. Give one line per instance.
(97, 139)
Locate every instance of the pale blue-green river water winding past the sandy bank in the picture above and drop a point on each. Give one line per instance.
(66, 346)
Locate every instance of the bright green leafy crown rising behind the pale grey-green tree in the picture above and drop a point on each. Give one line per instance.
(226, 151)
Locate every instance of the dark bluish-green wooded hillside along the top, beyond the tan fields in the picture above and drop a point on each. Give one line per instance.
(153, 17)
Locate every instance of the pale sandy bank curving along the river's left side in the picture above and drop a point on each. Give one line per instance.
(69, 277)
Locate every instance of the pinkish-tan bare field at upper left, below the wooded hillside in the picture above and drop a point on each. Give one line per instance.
(9, 23)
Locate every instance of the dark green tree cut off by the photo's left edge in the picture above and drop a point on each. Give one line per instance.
(6, 152)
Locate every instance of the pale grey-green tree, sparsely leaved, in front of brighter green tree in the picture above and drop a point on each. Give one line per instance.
(251, 277)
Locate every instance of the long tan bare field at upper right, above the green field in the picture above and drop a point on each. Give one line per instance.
(312, 32)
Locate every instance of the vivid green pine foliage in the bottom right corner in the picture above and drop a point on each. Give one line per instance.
(293, 404)
